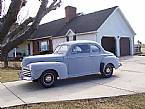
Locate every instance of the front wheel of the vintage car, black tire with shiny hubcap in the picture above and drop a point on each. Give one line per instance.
(47, 79)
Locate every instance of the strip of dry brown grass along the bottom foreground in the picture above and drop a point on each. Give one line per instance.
(136, 101)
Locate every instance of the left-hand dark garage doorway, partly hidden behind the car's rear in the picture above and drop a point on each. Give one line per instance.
(108, 43)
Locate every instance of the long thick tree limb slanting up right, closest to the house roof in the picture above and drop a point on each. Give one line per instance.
(43, 10)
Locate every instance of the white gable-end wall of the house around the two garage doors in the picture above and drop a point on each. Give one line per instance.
(117, 27)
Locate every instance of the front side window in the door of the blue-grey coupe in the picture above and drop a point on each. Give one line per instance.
(81, 49)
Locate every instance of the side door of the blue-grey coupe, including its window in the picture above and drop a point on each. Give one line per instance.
(79, 60)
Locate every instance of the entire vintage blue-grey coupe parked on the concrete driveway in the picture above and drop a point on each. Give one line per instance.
(70, 59)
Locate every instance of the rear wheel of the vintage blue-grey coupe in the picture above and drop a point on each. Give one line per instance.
(107, 71)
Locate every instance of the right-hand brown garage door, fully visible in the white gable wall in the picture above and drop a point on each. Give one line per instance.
(124, 46)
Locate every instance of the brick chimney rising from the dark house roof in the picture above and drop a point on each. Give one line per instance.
(70, 13)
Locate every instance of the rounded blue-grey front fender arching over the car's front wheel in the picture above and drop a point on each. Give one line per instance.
(38, 68)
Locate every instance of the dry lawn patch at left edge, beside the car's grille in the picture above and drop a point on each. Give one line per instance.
(8, 75)
